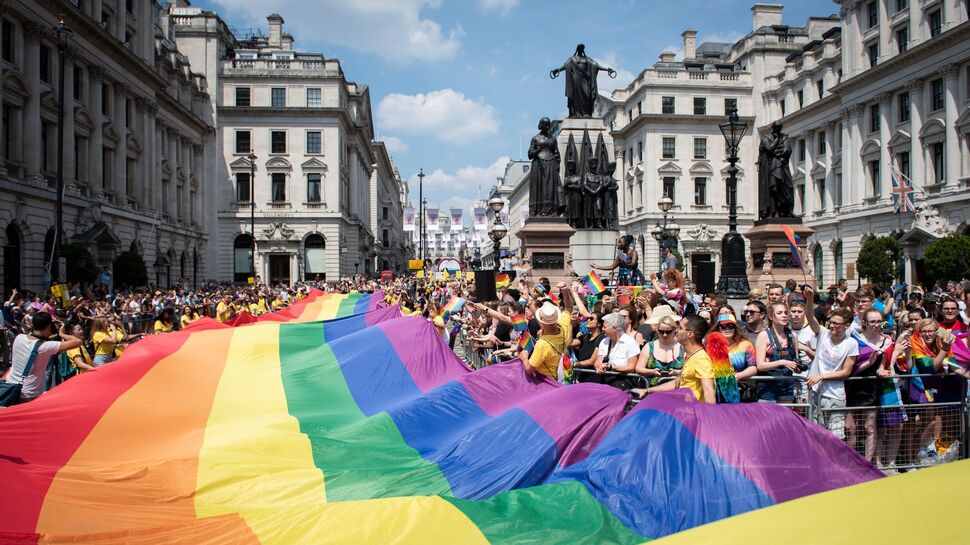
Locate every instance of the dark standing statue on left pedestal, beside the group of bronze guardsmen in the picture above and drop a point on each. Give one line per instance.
(545, 191)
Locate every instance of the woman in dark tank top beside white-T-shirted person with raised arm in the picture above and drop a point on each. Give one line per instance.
(776, 350)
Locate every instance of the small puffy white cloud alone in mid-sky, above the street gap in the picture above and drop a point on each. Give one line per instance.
(446, 114)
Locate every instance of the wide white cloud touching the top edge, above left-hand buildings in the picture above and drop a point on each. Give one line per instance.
(393, 29)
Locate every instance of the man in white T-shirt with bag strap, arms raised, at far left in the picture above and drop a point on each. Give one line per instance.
(38, 348)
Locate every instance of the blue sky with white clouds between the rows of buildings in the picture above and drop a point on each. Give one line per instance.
(458, 87)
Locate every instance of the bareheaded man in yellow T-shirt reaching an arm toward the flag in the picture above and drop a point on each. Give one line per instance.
(698, 371)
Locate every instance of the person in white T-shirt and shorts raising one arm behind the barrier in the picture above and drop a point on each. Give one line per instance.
(835, 357)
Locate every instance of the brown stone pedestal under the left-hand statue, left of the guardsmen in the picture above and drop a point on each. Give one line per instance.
(545, 242)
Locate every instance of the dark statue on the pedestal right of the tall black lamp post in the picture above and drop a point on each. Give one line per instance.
(776, 190)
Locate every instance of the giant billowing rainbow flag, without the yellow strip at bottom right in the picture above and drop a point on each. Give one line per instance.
(338, 421)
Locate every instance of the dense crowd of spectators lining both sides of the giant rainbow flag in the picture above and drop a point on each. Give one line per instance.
(884, 368)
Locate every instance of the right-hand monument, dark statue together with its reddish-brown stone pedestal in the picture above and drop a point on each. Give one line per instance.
(771, 258)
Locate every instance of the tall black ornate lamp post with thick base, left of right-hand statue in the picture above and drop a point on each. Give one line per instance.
(733, 281)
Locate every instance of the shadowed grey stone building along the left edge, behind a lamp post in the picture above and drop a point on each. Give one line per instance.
(137, 148)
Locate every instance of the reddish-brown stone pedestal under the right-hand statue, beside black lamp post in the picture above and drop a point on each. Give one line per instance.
(771, 260)
